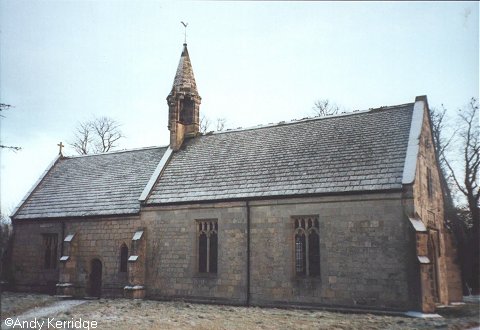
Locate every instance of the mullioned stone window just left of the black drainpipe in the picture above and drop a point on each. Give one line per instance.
(207, 246)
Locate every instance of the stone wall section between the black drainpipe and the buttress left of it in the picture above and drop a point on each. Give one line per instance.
(172, 262)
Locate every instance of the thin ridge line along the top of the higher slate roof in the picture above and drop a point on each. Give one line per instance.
(307, 119)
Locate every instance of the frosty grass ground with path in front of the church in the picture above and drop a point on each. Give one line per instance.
(123, 314)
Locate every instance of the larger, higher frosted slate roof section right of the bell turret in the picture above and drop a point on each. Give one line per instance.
(362, 151)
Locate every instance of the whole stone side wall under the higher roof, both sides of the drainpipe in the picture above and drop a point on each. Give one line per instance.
(364, 252)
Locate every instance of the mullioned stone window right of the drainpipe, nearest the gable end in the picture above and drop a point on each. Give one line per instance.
(307, 246)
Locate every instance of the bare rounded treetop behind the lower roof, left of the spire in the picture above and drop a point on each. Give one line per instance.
(96, 136)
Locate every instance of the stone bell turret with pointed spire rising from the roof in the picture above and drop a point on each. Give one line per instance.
(183, 103)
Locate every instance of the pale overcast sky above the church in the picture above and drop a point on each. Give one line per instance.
(62, 62)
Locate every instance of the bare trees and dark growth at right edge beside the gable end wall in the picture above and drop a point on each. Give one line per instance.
(460, 170)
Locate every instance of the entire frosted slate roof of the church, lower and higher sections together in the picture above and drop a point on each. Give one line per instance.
(356, 152)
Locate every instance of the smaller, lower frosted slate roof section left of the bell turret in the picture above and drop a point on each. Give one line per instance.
(105, 184)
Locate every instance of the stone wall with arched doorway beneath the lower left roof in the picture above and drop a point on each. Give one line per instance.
(99, 238)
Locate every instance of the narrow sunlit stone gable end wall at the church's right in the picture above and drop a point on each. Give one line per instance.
(443, 269)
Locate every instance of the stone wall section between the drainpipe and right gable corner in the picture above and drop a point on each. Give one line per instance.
(363, 252)
